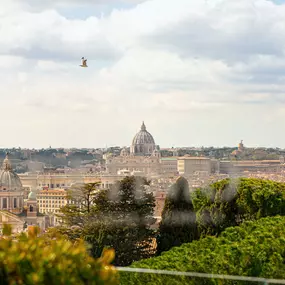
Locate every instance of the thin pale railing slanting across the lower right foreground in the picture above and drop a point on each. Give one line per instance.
(202, 275)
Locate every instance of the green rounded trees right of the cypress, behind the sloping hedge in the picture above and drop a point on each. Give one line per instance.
(230, 202)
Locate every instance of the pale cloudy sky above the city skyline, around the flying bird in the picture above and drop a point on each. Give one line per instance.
(197, 72)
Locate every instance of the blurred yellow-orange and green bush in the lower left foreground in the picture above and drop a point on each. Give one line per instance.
(33, 260)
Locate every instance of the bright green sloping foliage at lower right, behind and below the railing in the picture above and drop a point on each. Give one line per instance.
(256, 248)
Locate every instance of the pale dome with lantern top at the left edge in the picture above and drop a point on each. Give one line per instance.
(9, 180)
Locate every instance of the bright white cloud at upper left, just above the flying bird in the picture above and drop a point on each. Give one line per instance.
(47, 35)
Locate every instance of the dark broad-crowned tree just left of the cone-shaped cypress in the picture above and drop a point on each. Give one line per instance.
(119, 218)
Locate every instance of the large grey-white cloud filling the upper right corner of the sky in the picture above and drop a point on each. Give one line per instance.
(230, 31)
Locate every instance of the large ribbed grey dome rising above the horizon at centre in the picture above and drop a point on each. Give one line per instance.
(143, 142)
